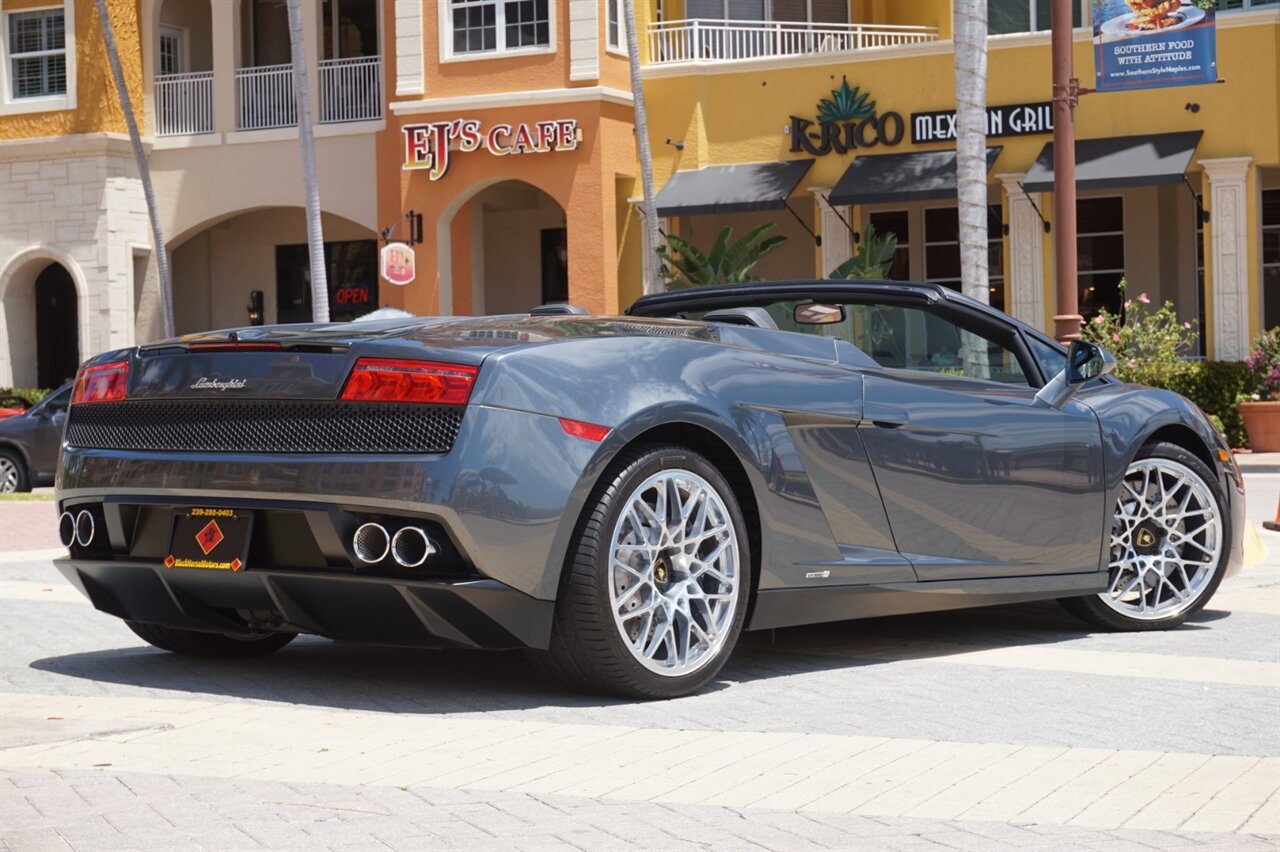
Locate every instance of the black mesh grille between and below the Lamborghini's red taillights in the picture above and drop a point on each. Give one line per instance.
(264, 427)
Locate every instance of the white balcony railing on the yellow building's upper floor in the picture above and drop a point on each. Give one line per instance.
(725, 42)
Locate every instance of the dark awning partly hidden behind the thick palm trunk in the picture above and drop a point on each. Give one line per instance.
(925, 176)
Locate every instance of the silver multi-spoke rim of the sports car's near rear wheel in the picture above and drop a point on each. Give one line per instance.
(675, 575)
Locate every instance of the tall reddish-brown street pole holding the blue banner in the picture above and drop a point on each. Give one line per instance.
(1067, 91)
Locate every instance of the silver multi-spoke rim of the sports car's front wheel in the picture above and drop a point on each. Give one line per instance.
(1167, 542)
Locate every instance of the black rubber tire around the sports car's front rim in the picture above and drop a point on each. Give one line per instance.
(1096, 612)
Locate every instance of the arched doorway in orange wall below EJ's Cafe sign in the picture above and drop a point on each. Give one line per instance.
(519, 249)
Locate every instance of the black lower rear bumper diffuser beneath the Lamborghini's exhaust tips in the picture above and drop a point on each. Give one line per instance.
(473, 613)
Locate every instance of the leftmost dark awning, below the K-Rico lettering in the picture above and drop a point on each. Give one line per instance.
(734, 189)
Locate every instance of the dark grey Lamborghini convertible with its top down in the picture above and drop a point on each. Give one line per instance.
(624, 496)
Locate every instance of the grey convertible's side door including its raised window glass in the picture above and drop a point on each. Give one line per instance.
(977, 478)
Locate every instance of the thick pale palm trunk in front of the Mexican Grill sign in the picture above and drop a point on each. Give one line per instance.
(971, 70)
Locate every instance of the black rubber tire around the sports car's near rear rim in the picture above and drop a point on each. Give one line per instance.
(587, 648)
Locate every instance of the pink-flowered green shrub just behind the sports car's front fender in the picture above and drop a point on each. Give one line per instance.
(1146, 342)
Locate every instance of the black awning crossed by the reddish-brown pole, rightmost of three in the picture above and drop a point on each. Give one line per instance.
(1121, 162)
